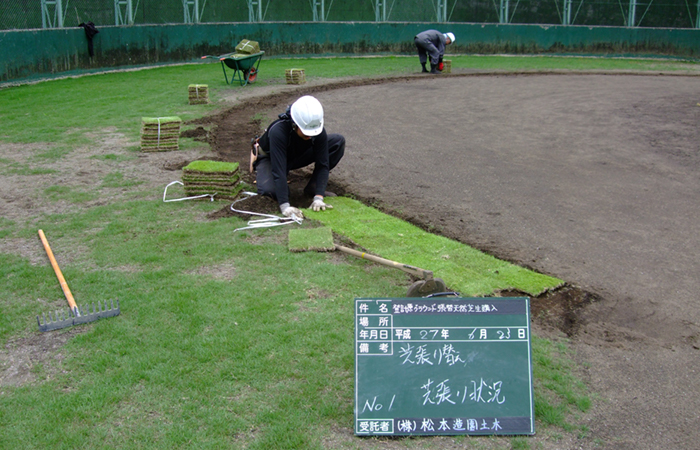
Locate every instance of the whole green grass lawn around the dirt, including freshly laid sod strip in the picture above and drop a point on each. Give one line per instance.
(226, 340)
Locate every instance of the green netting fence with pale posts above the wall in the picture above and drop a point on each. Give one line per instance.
(33, 14)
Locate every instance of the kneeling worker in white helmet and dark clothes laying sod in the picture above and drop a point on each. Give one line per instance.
(296, 140)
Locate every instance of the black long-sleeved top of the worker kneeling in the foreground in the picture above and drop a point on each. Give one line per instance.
(287, 151)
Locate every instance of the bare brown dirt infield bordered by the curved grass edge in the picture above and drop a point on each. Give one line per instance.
(591, 178)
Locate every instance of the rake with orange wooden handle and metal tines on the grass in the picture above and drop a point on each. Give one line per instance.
(76, 315)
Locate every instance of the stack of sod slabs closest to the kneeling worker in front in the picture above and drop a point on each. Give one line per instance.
(212, 177)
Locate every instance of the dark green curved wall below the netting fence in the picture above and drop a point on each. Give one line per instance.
(26, 55)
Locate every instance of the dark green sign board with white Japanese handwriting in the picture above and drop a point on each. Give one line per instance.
(443, 366)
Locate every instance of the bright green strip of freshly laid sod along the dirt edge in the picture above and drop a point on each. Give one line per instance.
(464, 269)
